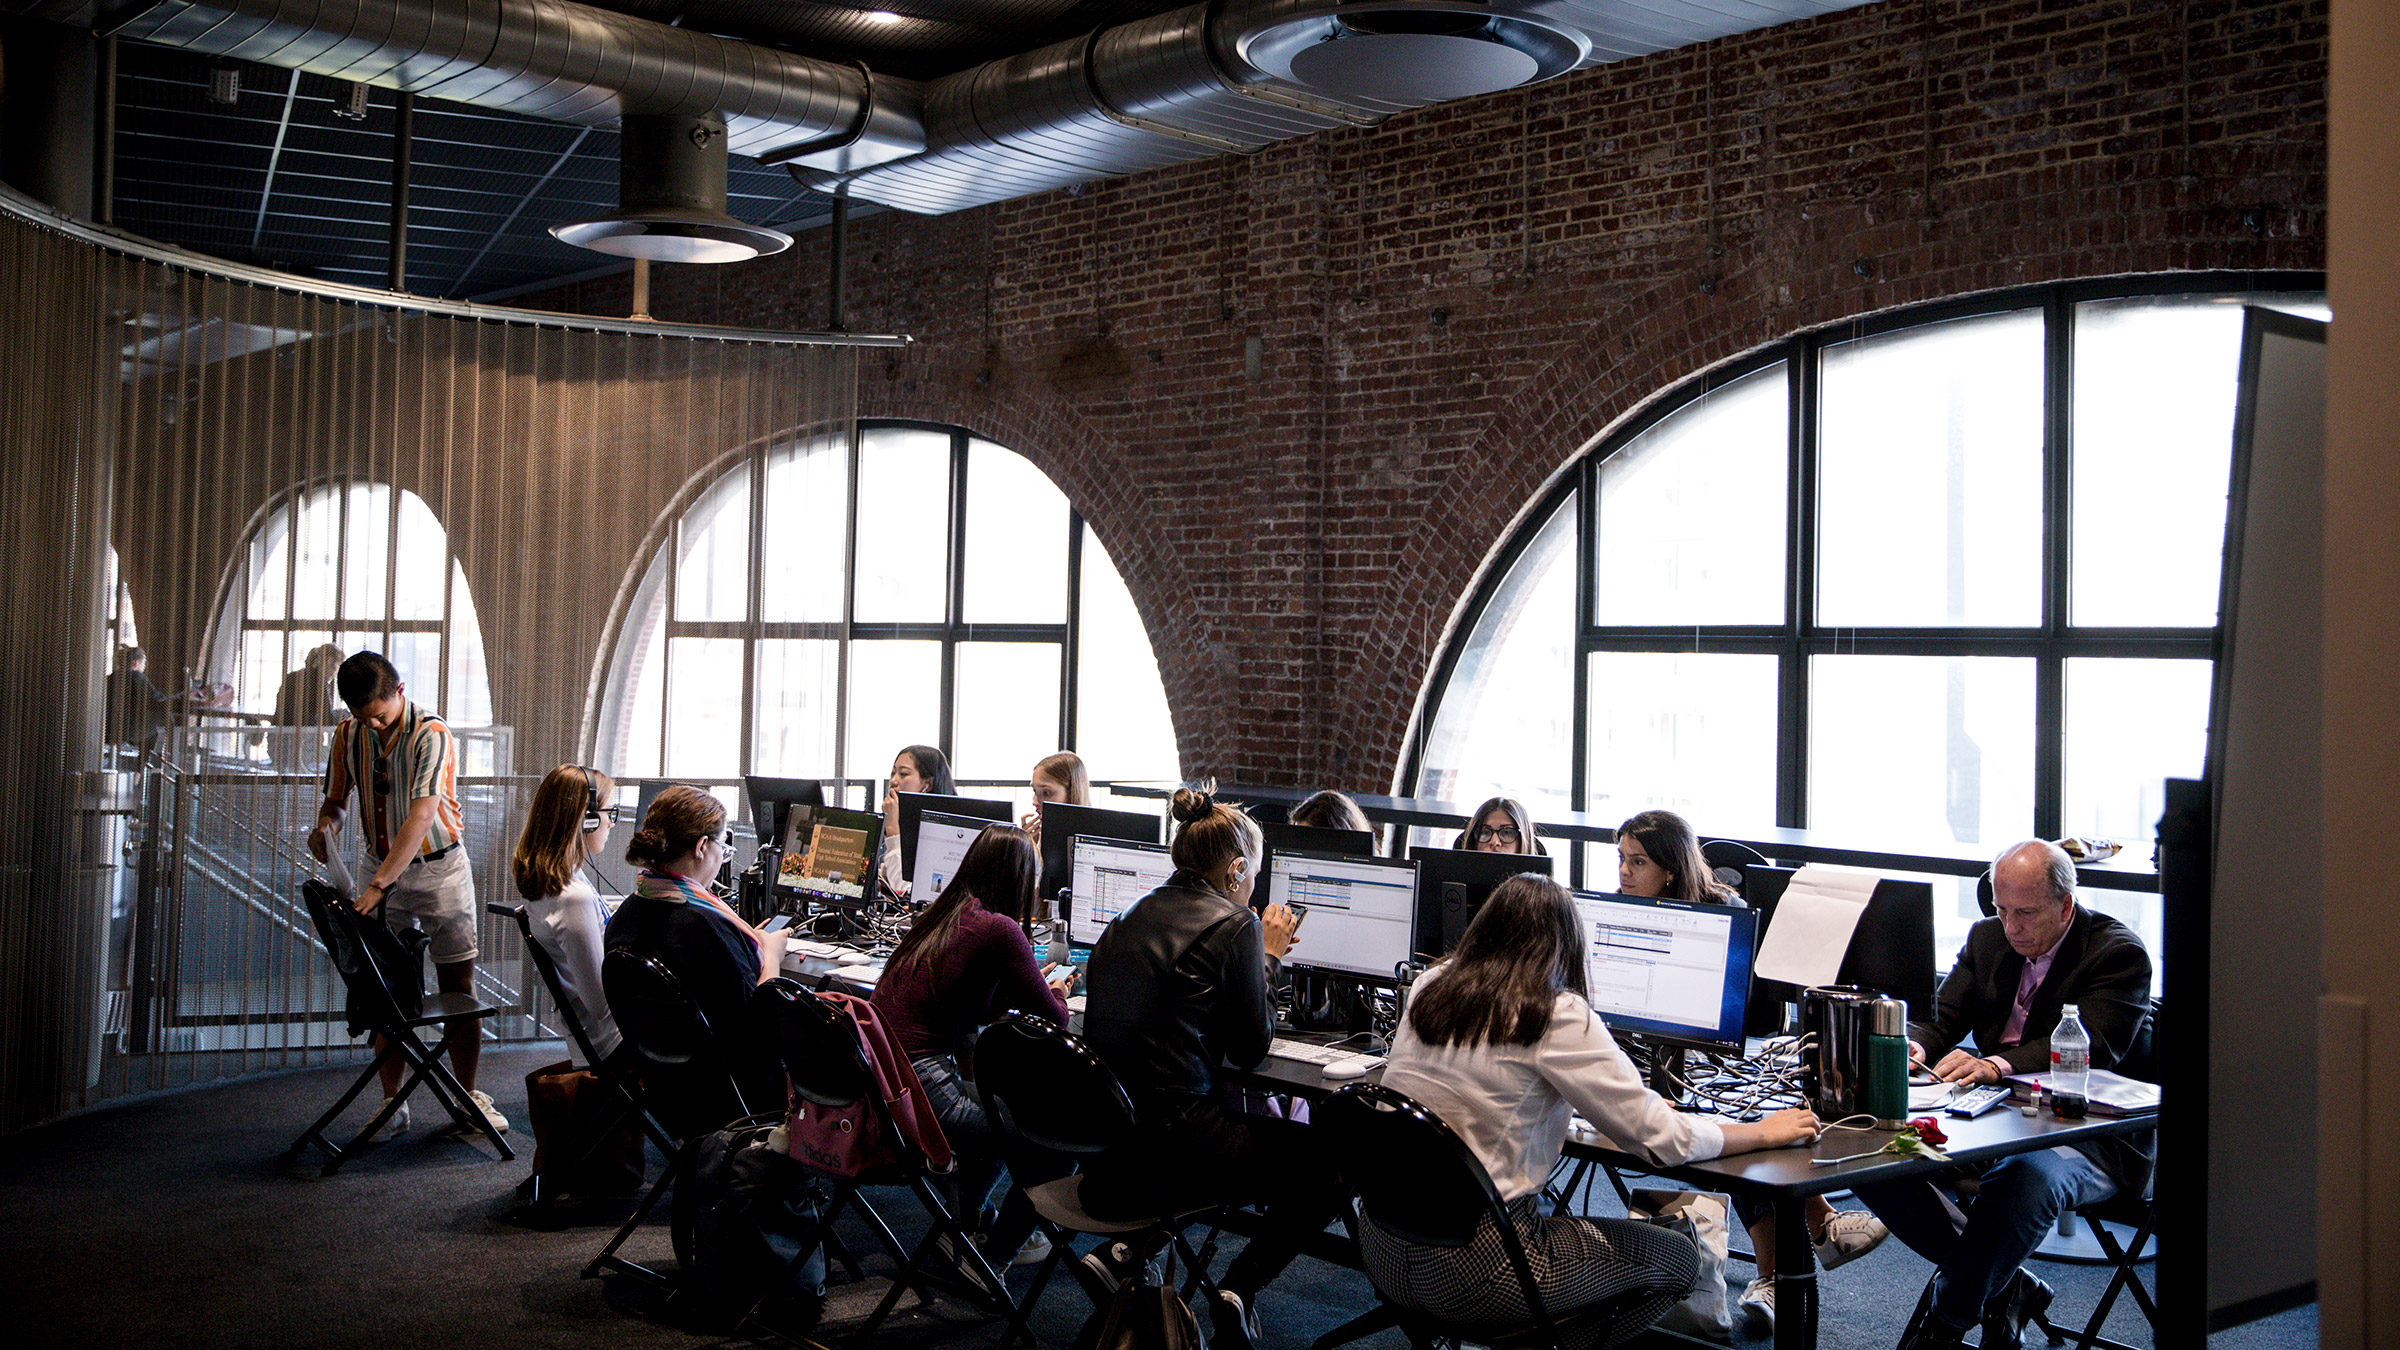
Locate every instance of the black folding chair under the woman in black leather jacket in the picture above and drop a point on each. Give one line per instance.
(1045, 1087)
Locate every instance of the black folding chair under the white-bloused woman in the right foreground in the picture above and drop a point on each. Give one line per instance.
(1422, 1183)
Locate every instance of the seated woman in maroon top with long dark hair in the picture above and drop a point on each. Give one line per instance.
(964, 964)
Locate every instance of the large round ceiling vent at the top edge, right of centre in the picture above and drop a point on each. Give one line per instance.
(1412, 52)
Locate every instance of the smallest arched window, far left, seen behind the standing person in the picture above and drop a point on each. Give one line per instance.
(352, 566)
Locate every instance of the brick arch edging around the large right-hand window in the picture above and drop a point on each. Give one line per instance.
(1566, 407)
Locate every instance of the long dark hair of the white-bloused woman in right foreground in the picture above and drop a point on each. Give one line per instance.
(1501, 986)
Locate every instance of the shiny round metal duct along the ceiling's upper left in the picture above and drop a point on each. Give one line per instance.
(560, 61)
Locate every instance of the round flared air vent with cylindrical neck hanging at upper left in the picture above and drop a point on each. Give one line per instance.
(671, 198)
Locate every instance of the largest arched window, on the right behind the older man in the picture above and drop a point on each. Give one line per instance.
(1948, 575)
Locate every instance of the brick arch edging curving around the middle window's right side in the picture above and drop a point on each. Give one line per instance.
(1084, 465)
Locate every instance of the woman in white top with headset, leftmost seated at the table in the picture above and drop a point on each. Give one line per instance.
(570, 823)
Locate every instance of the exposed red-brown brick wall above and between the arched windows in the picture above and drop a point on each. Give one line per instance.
(1307, 395)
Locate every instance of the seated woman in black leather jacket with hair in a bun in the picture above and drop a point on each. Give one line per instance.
(1180, 984)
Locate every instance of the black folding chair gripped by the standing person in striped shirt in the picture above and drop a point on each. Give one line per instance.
(380, 1008)
